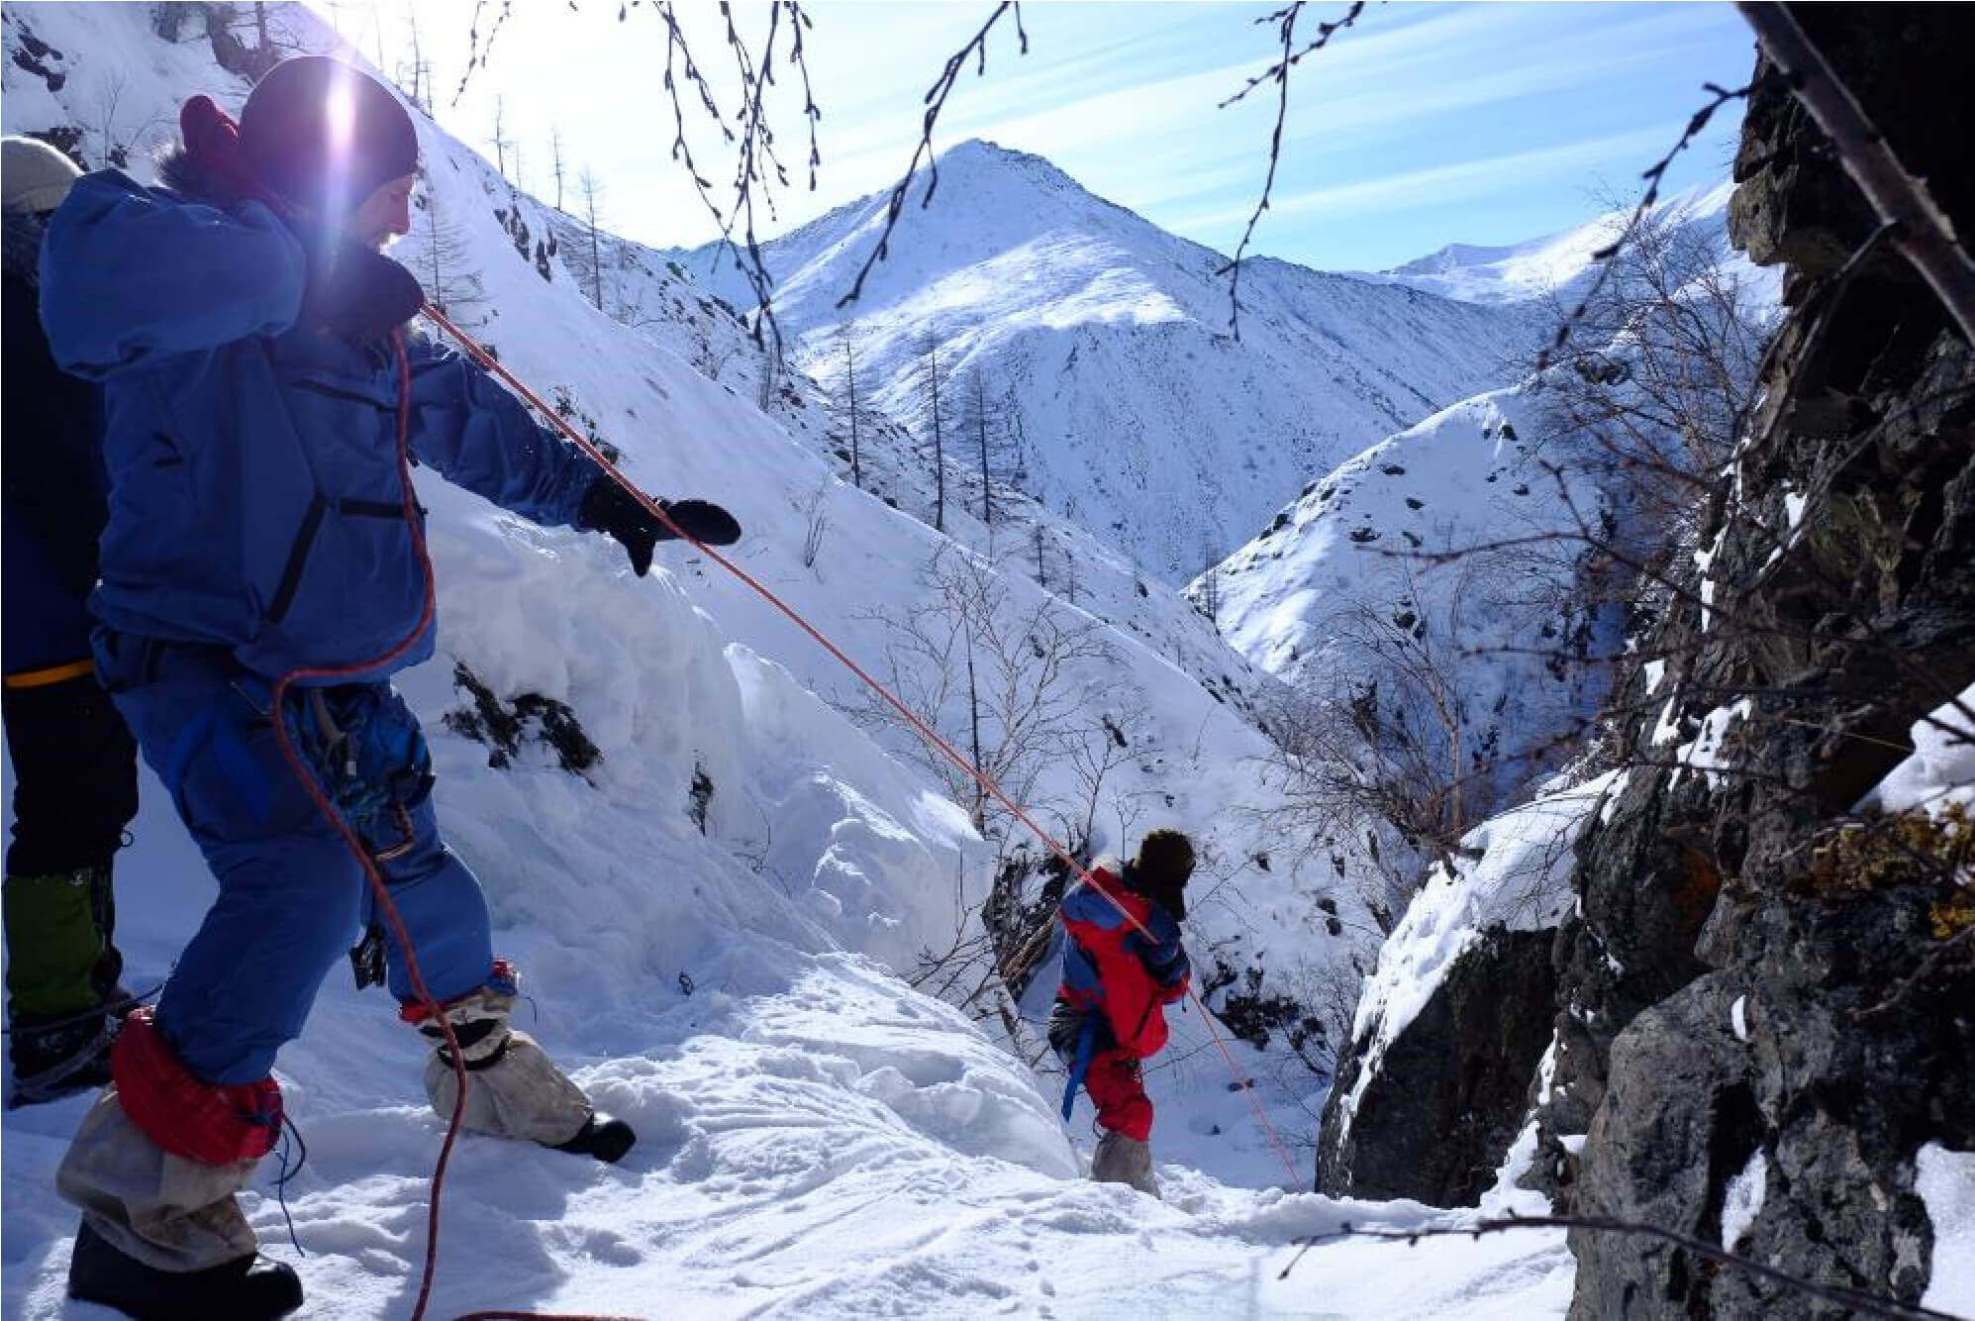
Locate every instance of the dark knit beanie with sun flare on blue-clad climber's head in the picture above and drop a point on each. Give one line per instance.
(325, 135)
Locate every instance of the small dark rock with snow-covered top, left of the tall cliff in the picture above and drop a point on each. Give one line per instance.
(1445, 1101)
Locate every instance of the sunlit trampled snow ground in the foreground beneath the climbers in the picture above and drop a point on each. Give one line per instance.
(817, 1142)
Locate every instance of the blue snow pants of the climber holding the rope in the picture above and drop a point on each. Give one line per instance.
(291, 895)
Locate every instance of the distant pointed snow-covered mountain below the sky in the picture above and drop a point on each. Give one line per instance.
(1139, 414)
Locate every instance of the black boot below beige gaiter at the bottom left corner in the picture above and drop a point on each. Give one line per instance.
(248, 1288)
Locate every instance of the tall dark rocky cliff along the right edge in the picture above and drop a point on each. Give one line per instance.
(1767, 986)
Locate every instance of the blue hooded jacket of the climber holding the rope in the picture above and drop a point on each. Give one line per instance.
(256, 495)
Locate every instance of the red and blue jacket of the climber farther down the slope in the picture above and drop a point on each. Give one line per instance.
(1121, 967)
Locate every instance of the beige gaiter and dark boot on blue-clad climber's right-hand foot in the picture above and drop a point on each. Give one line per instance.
(514, 1089)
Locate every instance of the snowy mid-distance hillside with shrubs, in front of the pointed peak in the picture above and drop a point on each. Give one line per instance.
(1342, 595)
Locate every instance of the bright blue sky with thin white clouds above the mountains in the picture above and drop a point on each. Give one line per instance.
(1423, 125)
